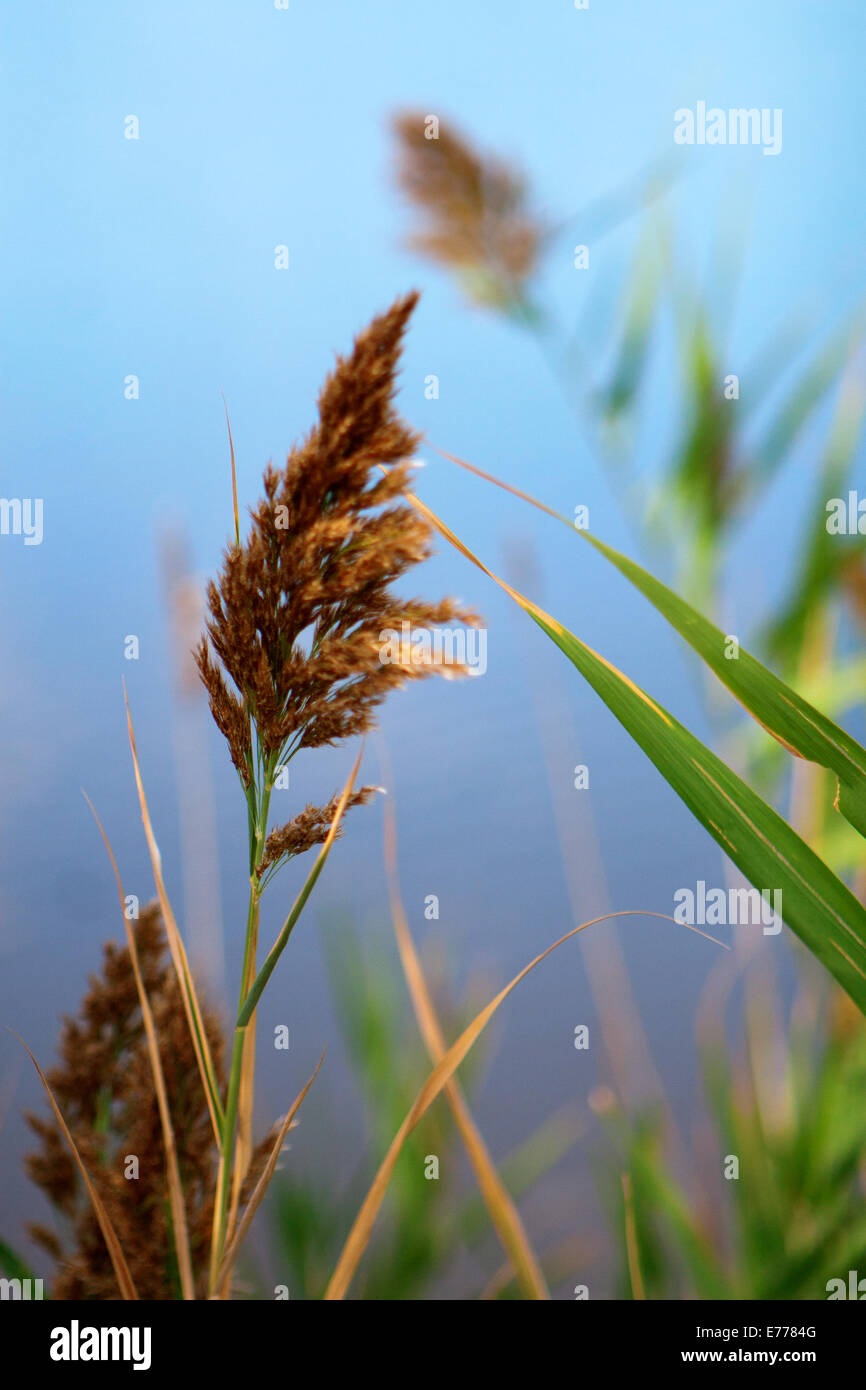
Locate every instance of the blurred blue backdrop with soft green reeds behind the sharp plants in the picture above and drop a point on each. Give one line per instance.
(155, 259)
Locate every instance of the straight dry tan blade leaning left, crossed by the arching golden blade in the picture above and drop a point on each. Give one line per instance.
(498, 1200)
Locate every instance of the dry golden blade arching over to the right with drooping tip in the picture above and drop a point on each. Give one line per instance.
(359, 1236)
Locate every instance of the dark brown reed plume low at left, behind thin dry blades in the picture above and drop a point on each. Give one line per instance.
(104, 1086)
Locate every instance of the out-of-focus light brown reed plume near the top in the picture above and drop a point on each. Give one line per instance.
(476, 216)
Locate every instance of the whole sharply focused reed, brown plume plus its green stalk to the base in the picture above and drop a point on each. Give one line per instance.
(293, 661)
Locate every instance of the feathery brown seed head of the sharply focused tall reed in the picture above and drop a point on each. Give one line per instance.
(294, 650)
